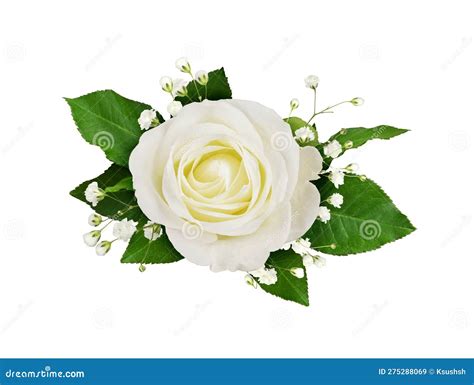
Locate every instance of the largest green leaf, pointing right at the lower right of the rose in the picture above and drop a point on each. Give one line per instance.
(366, 220)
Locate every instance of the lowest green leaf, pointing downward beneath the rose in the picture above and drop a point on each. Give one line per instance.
(287, 286)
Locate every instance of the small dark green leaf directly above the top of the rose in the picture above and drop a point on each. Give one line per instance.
(217, 88)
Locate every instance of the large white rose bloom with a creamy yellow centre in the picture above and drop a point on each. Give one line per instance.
(228, 181)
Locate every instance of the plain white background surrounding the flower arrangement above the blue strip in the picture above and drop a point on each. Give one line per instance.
(413, 64)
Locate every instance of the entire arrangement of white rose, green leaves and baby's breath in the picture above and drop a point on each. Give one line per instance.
(230, 184)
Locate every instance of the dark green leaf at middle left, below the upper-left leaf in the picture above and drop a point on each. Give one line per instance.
(116, 205)
